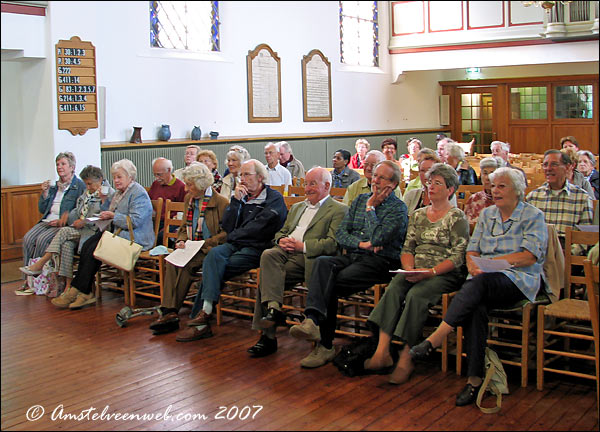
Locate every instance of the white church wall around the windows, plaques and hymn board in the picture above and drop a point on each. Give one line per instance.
(146, 88)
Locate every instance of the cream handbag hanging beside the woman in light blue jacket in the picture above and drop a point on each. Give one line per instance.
(117, 251)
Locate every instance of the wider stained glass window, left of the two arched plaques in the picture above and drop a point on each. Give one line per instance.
(187, 25)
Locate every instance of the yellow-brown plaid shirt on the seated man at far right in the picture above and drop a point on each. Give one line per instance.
(567, 207)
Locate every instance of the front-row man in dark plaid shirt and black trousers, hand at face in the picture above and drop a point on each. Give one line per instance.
(372, 234)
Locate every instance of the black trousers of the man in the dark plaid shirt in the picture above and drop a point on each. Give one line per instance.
(339, 276)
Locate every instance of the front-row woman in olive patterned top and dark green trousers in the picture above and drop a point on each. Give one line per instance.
(433, 259)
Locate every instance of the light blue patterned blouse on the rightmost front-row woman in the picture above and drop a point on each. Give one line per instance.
(524, 230)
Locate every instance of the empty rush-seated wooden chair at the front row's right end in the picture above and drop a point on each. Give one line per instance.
(569, 319)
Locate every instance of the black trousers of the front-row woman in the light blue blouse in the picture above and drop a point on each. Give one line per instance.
(470, 307)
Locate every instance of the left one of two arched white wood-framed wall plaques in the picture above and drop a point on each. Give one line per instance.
(264, 85)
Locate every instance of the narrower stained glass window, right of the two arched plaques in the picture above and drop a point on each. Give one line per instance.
(359, 33)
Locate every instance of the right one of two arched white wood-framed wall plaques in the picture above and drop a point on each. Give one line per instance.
(316, 87)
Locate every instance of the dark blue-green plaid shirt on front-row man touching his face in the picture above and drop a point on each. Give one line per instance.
(386, 226)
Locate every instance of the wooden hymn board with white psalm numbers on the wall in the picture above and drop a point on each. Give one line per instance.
(76, 91)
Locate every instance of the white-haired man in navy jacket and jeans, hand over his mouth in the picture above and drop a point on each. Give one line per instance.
(256, 212)
